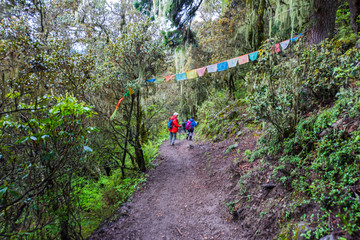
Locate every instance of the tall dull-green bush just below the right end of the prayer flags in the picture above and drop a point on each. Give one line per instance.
(283, 89)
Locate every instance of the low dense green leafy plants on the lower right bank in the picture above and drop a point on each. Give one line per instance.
(321, 160)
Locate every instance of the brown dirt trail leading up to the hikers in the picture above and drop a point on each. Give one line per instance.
(183, 199)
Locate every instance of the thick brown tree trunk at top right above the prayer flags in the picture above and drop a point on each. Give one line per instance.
(323, 21)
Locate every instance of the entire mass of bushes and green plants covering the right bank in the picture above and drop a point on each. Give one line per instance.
(312, 111)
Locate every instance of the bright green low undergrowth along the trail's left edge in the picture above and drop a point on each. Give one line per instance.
(101, 199)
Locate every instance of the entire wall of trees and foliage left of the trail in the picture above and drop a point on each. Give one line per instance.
(61, 158)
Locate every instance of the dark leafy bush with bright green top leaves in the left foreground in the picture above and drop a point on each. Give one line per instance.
(42, 152)
